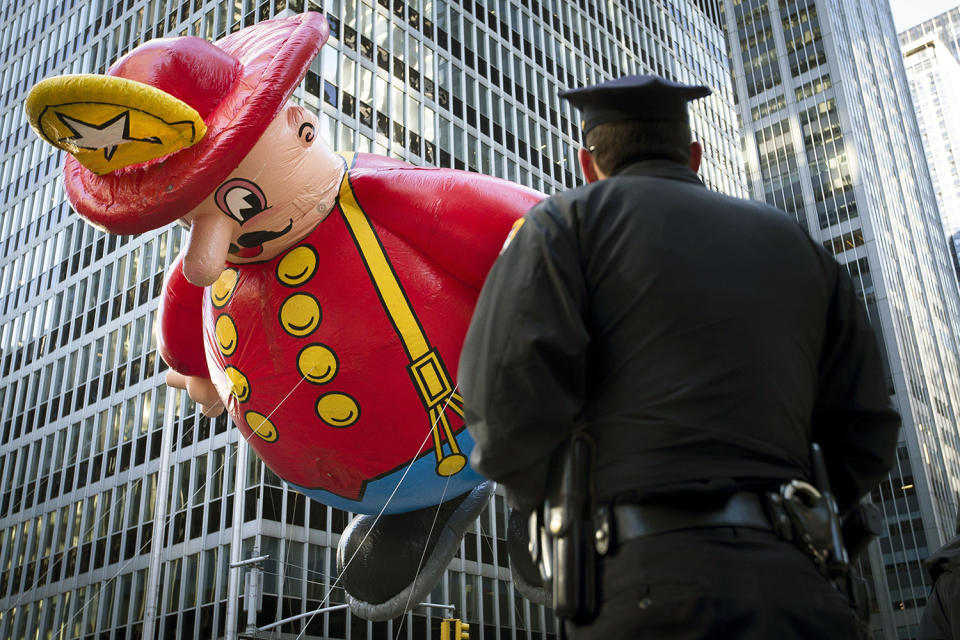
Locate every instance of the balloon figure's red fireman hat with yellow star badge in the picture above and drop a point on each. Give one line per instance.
(171, 119)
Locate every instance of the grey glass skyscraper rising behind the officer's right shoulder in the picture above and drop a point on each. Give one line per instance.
(830, 136)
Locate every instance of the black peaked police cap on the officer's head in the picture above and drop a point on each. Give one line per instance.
(633, 98)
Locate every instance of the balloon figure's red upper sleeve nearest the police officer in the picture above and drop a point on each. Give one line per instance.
(458, 219)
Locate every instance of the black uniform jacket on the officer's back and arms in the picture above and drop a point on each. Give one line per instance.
(694, 335)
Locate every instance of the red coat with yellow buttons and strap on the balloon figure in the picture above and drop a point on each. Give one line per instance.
(340, 354)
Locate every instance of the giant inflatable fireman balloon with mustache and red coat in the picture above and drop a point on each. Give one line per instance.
(321, 298)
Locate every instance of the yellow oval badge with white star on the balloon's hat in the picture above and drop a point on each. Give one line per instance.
(108, 123)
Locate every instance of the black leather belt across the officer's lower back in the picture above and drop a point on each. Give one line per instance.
(743, 509)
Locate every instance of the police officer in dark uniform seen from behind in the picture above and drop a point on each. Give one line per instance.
(702, 342)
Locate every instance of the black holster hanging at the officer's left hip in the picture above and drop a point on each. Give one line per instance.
(562, 534)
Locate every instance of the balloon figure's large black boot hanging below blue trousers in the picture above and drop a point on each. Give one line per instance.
(378, 564)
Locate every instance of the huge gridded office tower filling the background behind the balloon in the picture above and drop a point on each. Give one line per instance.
(121, 506)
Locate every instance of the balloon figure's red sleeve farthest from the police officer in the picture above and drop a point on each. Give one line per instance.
(180, 324)
